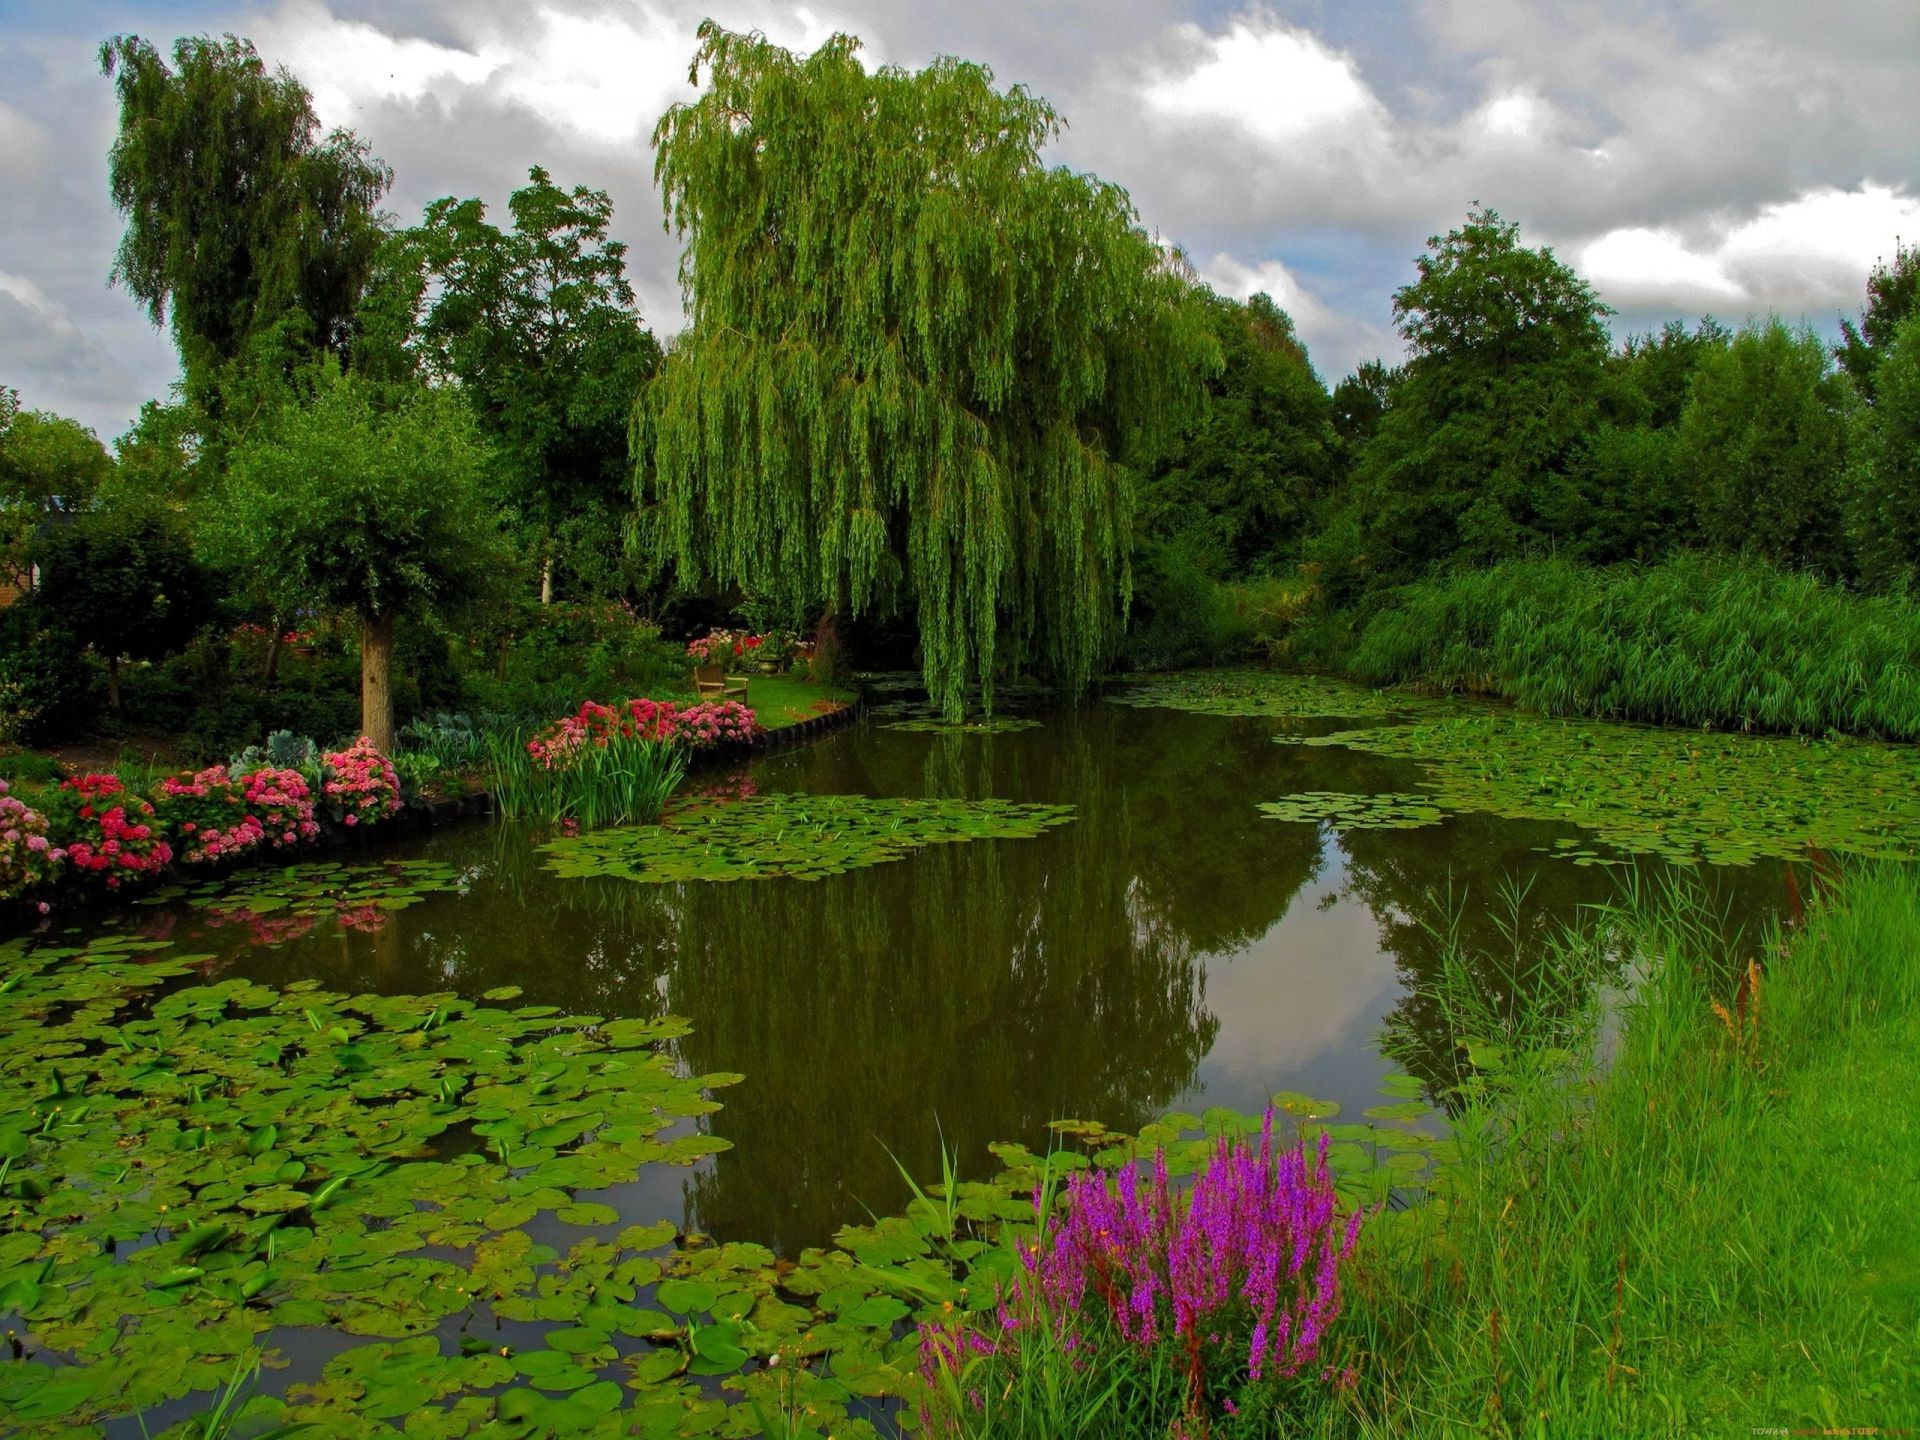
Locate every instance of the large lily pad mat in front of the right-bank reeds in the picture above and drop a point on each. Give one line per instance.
(1679, 794)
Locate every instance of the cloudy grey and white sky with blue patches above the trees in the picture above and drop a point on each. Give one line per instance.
(1687, 156)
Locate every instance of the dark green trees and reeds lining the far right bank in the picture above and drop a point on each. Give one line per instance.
(1769, 477)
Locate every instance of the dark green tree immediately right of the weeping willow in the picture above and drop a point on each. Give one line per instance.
(1241, 483)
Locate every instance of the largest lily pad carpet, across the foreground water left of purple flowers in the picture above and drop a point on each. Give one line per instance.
(203, 1172)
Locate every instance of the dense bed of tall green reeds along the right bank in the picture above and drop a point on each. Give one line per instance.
(1698, 642)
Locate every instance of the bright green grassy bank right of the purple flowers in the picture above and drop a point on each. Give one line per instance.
(1712, 1236)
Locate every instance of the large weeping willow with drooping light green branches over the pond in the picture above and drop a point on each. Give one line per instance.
(921, 364)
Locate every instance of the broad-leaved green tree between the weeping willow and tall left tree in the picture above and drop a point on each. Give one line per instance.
(540, 329)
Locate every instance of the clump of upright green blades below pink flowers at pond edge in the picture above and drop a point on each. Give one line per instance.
(619, 782)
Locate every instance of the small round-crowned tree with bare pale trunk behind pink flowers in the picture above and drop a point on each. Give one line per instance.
(368, 500)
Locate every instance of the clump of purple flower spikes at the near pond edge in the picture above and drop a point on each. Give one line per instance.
(1153, 1310)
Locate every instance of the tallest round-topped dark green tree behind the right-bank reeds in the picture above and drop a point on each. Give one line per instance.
(1502, 387)
